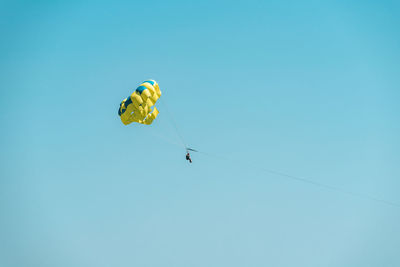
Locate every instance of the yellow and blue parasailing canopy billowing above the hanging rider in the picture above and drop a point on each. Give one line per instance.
(138, 107)
